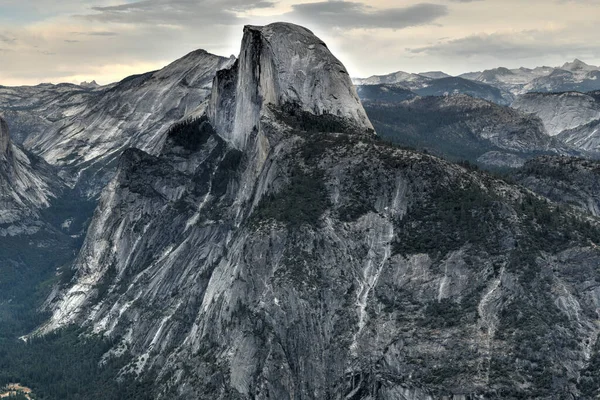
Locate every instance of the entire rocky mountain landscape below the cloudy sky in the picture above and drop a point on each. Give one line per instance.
(256, 236)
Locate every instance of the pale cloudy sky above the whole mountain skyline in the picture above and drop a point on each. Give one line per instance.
(107, 40)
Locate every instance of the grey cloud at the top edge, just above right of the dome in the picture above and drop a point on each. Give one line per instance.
(346, 14)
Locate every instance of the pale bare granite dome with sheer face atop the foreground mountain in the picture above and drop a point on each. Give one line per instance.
(281, 64)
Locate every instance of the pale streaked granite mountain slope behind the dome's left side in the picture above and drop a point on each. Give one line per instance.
(84, 131)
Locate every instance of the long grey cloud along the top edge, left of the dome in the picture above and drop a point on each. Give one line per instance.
(176, 12)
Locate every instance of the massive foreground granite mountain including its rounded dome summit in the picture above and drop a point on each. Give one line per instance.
(296, 256)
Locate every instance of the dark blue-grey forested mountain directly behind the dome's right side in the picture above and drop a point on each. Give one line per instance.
(461, 127)
